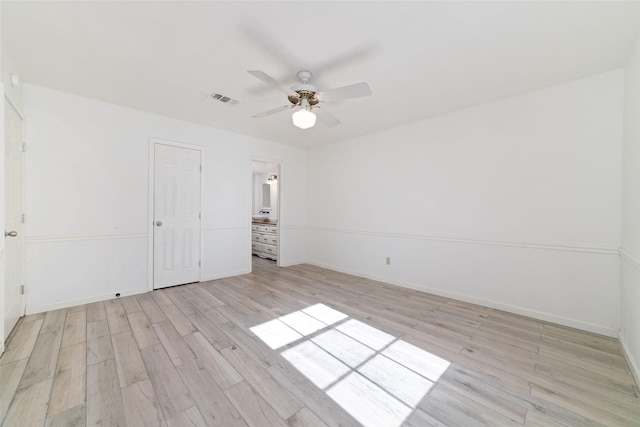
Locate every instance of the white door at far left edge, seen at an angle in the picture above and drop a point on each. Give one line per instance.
(14, 236)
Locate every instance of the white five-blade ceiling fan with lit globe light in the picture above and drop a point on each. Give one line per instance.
(306, 97)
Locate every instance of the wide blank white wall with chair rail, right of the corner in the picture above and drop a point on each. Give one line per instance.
(514, 204)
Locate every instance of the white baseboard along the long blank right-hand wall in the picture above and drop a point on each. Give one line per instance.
(548, 317)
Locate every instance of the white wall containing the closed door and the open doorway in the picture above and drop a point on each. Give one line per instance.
(87, 197)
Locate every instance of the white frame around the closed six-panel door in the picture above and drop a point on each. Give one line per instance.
(150, 218)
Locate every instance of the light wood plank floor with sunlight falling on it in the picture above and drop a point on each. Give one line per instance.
(305, 346)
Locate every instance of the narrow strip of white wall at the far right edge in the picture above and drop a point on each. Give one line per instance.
(630, 248)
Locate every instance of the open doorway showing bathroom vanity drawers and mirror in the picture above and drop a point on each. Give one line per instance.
(265, 210)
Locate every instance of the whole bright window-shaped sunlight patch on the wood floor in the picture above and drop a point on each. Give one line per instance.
(376, 377)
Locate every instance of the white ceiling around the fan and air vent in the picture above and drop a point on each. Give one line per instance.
(419, 58)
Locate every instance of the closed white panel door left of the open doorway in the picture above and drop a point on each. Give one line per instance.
(176, 239)
